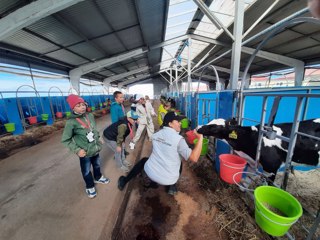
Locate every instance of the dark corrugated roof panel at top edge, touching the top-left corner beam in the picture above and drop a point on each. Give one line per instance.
(81, 16)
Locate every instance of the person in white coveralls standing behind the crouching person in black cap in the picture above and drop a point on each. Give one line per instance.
(145, 112)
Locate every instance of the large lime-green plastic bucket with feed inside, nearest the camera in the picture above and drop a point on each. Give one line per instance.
(275, 210)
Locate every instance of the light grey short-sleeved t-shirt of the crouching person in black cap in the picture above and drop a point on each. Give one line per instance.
(168, 150)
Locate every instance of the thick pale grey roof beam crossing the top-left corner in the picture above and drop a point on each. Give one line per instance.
(31, 13)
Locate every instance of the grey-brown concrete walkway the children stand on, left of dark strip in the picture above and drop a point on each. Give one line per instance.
(42, 194)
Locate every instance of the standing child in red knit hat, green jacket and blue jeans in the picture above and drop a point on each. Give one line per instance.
(80, 135)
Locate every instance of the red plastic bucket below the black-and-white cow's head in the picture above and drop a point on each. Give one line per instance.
(229, 165)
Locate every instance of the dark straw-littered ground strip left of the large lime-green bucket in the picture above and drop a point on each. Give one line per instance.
(233, 216)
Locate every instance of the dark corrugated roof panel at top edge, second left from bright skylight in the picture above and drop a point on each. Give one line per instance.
(120, 14)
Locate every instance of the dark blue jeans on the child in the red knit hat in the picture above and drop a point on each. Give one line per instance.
(85, 164)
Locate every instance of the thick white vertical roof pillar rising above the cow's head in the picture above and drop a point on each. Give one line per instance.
(236, 46)
